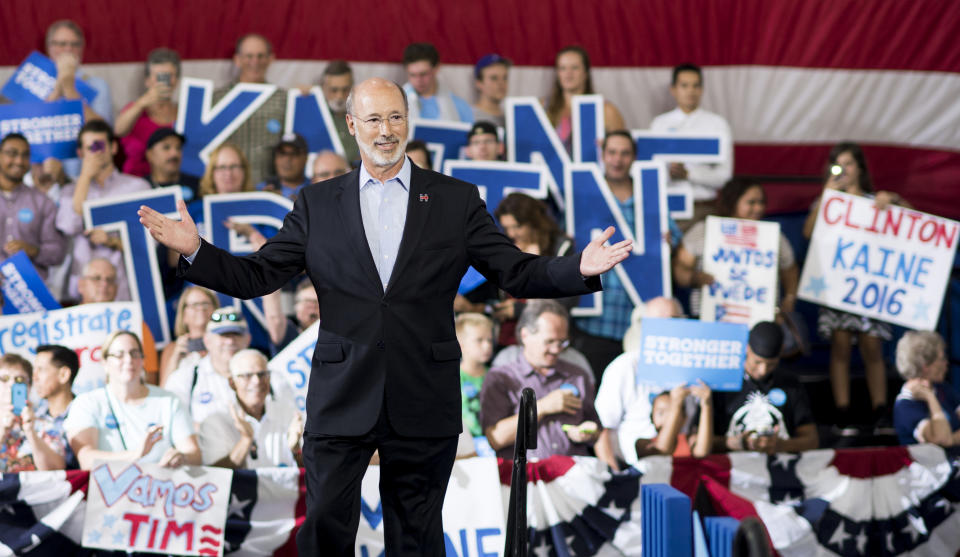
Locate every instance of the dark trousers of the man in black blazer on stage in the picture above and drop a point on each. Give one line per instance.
(414, 472)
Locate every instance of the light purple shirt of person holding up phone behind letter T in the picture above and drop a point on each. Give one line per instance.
(71, 224)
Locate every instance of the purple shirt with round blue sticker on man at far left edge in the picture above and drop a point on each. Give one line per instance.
(28, 215)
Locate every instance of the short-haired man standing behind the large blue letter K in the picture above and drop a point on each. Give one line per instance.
(251, 59)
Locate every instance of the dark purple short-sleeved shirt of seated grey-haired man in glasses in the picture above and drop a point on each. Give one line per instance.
(500, 398)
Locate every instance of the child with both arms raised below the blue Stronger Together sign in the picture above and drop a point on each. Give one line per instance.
(668, 417)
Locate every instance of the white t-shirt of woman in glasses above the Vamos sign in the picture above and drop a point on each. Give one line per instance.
(122, 426)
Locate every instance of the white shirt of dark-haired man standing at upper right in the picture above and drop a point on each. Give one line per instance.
(704, 179)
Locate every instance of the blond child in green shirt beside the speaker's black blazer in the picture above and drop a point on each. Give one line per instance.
(475, 334)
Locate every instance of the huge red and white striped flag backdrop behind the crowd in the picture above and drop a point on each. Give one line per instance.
(791, 77)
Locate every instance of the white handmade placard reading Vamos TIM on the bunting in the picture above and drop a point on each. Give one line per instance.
(147, 507)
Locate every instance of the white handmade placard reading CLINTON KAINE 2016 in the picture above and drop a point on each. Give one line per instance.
(891, 264)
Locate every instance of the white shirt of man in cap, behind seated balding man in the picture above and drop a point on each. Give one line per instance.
(212, 392)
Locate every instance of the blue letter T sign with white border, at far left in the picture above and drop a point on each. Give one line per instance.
(140, 255)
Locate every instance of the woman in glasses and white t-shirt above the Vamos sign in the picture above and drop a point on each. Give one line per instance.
(128, 419)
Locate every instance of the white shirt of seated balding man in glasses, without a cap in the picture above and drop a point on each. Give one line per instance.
(218, 435)
